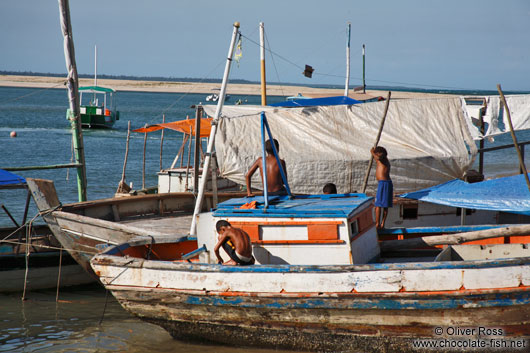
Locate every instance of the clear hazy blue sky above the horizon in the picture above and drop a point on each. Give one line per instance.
(449, 44)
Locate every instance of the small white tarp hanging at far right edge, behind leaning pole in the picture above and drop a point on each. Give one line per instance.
(519, 106)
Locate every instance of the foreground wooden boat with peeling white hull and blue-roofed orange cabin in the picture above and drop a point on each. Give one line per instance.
(320, 283)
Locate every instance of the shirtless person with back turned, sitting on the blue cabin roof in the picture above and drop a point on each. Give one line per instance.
(275, 184)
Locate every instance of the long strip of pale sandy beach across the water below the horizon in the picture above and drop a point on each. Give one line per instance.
(200, 87)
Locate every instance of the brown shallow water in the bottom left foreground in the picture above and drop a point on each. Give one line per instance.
(82, 322)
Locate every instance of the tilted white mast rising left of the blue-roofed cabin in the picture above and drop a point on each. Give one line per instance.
(211, 141)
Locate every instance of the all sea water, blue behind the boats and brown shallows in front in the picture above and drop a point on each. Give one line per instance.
(44, 138)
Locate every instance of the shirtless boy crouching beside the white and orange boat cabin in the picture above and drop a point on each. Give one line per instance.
(235, 242)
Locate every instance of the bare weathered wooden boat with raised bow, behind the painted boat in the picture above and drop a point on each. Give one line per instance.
(86, 228)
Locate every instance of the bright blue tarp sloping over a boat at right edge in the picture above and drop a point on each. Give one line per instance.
(509, 194)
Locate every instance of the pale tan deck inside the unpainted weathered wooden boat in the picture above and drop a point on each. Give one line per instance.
(178, 224)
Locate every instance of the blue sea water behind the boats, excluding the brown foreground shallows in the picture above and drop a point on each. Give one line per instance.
(44, 138)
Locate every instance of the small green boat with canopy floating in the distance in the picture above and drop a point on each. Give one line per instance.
(97, 107)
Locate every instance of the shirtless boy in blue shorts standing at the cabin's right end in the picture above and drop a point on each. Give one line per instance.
(385, 189)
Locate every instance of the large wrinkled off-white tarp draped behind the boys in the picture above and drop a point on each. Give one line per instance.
(428, 142)
